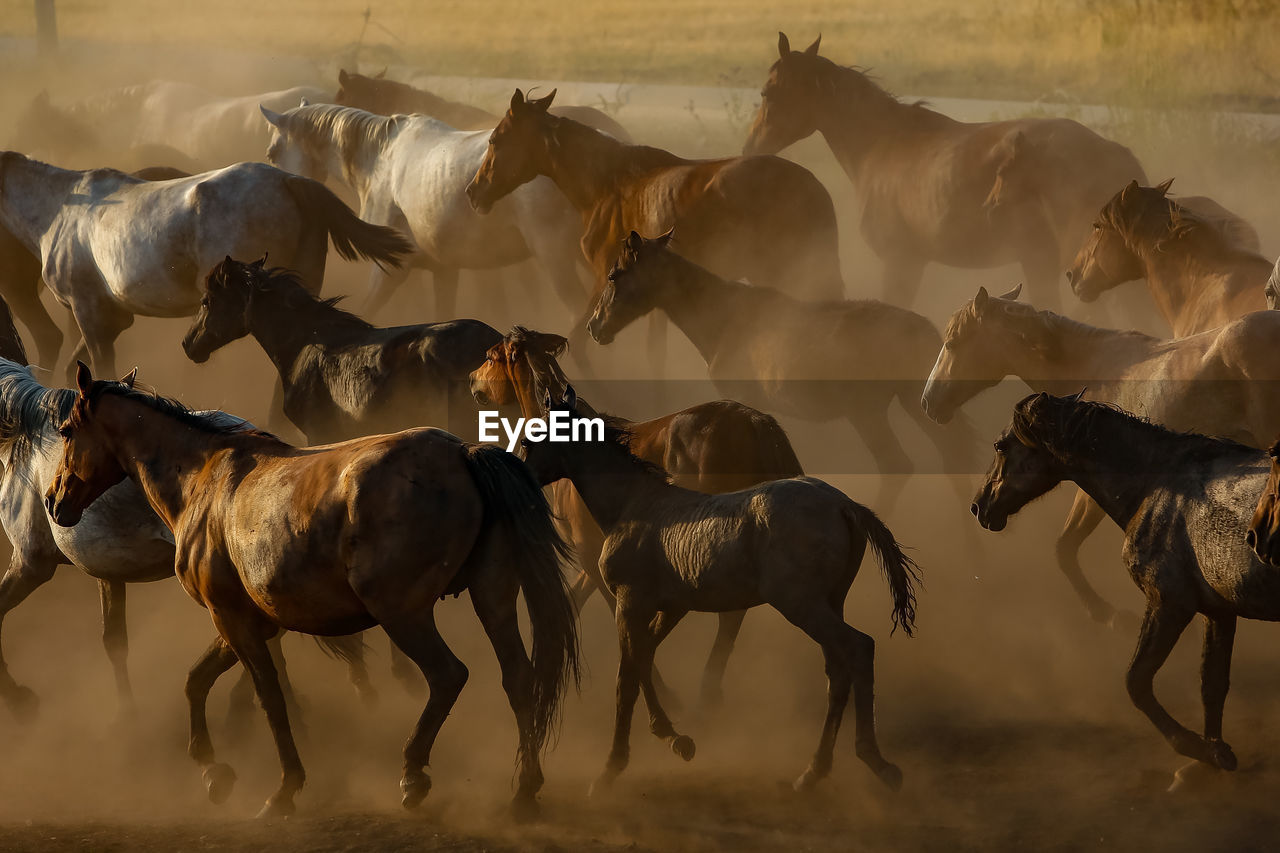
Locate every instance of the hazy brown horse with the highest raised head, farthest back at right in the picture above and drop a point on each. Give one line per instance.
(935, 190)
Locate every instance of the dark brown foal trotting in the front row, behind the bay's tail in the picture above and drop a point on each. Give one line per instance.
(796, 545)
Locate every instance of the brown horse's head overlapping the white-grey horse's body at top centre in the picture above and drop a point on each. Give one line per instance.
(518, 150)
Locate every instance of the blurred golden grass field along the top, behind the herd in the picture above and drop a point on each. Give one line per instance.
(1215, 53)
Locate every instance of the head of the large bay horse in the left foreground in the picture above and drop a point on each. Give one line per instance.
(89, 466)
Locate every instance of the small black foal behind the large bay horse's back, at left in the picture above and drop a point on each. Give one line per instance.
(342, 377)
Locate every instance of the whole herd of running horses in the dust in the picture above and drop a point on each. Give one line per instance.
(707, 509)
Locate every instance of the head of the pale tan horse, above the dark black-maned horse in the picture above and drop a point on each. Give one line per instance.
(971, 359)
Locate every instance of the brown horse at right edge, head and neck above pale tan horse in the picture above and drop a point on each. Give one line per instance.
(1200, 273)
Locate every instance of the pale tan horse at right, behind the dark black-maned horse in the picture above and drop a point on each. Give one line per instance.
(1219, 382)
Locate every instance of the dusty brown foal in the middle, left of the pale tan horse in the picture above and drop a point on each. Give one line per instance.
(816, 361)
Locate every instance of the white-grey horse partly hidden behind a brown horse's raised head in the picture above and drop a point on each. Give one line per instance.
(410, 172)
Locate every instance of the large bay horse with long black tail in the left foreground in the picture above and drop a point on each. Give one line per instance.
(332, 541)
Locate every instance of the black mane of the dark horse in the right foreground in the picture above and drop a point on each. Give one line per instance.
(1066, 426)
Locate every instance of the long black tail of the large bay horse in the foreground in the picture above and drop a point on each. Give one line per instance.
(515, 504)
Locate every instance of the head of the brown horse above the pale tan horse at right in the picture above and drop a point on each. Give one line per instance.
(1108, 258)
